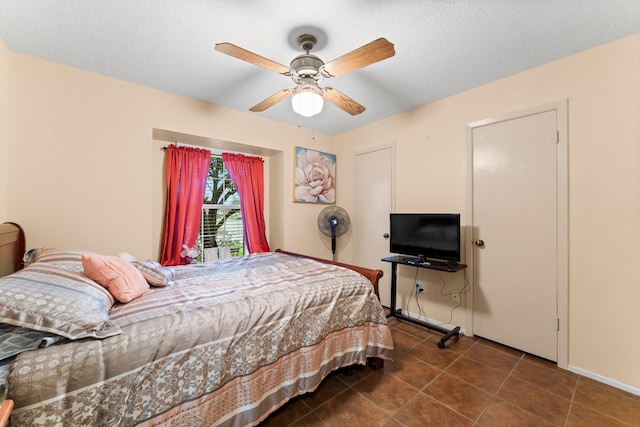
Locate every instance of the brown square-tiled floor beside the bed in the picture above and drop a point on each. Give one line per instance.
(472, 382)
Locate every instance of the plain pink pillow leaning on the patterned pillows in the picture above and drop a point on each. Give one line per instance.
(121, 278)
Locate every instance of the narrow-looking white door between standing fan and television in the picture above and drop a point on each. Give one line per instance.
(373, 204)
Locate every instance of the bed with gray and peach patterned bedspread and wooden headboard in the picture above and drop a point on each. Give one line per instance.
(223, 343)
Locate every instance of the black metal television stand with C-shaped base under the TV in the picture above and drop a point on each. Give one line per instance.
(421, 263)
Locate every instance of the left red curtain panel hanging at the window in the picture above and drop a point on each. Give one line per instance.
(187, 170)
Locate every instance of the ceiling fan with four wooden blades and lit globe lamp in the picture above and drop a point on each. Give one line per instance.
(306, 70)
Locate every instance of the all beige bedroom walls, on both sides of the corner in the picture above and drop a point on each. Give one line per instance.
(84, 168)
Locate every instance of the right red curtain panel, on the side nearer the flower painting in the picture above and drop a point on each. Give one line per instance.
(247, 175)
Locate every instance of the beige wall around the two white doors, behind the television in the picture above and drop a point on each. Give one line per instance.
(602, 86)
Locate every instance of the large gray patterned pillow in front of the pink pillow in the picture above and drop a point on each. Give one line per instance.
(50, 298)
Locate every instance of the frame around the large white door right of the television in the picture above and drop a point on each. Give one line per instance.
(562, 206)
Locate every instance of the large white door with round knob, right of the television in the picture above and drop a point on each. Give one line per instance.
(515, 223)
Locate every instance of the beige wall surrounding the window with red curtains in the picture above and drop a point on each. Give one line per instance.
(84, 166)
